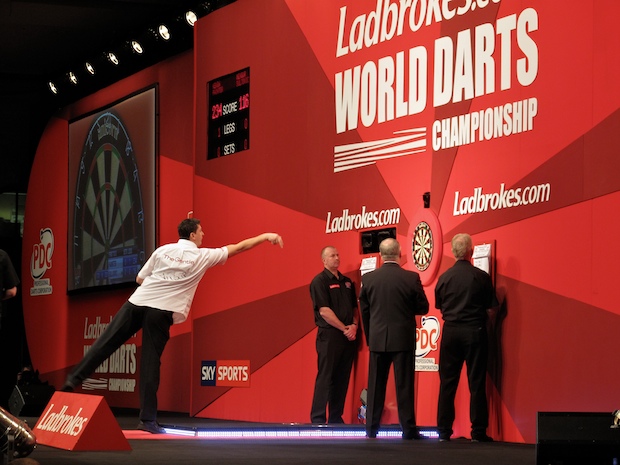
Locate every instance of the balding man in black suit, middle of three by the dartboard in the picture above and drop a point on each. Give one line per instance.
(390, 299)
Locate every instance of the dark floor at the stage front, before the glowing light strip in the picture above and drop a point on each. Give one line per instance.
(268, 452)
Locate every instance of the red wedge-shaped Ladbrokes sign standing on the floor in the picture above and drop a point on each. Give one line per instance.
(79, 422)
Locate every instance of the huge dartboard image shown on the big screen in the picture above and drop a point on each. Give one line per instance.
(108, 242)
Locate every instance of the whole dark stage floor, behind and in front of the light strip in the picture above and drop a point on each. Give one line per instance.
(247, 443)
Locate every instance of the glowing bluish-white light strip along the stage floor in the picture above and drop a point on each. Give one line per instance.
(292, 432)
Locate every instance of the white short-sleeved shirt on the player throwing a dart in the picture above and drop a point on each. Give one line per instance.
(171, 276)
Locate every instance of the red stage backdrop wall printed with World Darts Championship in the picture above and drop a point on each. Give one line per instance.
(323, 120)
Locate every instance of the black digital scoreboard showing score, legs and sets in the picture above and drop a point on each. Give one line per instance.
(229, 119)
